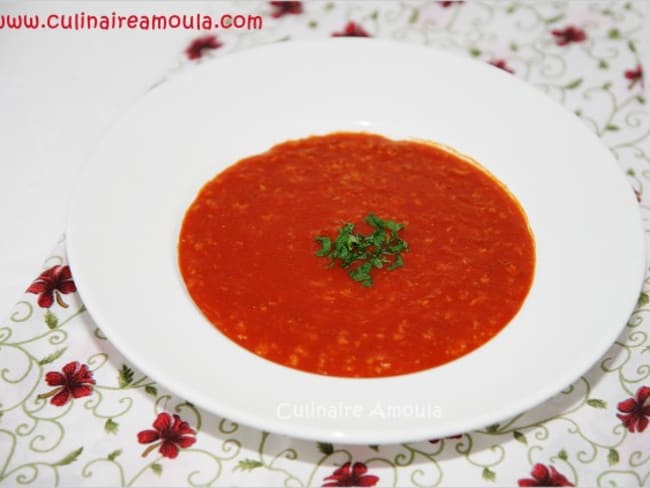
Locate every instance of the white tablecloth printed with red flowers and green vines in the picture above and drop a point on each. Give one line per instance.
(74, 412)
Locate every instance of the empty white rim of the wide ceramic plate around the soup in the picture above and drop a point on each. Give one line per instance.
(131, 198)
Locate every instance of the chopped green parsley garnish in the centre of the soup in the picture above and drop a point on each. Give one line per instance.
(360, 253)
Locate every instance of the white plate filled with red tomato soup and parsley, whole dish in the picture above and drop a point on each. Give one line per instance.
(360, 252)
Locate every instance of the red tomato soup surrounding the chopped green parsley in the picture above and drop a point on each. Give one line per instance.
(247, 253)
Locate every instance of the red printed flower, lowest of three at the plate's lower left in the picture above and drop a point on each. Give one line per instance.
(172, 434)
